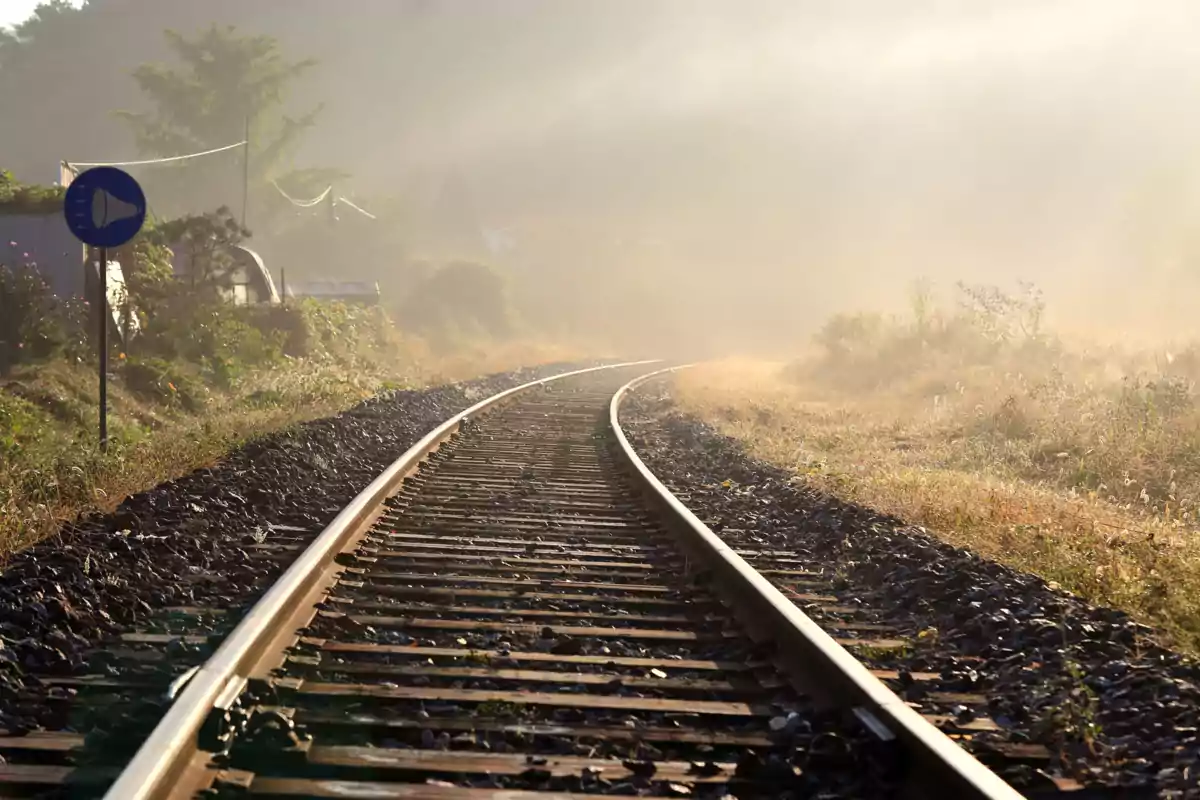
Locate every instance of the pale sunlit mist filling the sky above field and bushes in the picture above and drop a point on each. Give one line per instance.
(719, 175)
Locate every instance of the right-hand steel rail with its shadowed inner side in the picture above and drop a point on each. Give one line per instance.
(811, 657)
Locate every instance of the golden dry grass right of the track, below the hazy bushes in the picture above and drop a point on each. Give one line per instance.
(1093, 486)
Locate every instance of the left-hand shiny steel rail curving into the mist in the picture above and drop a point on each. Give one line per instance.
(167, 753)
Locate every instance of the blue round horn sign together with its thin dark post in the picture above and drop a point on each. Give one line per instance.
(105, 208)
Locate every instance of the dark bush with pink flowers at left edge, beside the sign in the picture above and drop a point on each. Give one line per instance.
(35, 326)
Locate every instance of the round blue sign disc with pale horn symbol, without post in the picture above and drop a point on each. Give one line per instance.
(105, 207)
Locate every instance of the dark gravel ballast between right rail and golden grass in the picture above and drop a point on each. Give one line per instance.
(1089, 683)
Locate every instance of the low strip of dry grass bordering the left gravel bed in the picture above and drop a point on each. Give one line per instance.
(51, 470)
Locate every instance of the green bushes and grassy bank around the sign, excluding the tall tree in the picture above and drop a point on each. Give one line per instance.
(194, 376)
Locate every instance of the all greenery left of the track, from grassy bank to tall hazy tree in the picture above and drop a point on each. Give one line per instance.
(191, 375)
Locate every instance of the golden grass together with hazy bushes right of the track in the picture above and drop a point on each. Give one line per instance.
(1079, 464)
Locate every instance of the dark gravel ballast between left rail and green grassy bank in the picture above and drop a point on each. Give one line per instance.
(197, 543)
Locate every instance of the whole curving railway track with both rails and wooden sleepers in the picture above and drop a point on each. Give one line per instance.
(517, 610)
